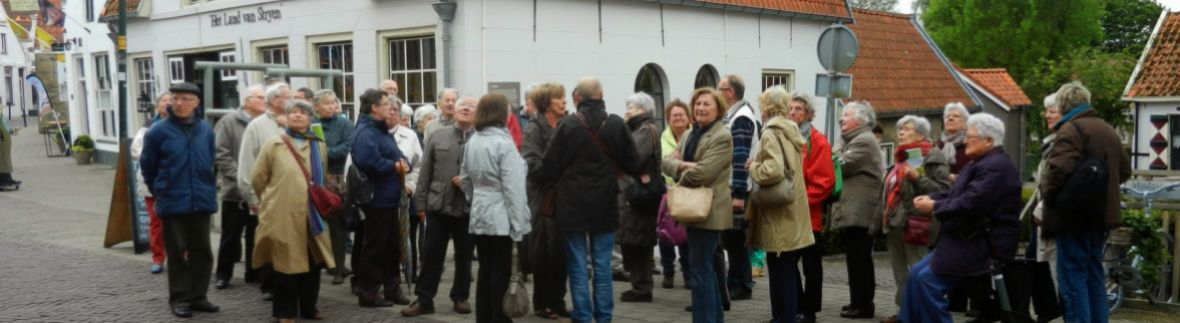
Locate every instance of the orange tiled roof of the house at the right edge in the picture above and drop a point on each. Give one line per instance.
(1159, 74)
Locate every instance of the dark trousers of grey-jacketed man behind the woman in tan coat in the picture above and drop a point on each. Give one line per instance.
(237, 222)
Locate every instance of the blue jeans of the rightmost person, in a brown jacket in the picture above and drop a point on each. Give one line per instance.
(1080, 278)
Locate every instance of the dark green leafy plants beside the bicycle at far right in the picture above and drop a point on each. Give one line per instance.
(1149, 243)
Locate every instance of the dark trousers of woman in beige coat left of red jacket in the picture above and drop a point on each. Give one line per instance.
(784, 276)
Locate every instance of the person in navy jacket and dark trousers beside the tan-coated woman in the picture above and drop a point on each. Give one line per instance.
(377, 156)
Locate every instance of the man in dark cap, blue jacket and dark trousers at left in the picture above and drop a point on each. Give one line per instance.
(178, 164)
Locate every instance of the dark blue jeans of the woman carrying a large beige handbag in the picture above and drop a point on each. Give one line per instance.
(703, 251)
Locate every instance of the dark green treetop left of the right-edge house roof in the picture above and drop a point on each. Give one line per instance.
(1129, 24)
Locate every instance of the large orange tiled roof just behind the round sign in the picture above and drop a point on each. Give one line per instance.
(897, 70)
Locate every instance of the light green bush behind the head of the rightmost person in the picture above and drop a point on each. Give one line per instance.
(1104, 74)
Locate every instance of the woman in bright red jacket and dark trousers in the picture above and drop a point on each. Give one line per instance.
(821, 179)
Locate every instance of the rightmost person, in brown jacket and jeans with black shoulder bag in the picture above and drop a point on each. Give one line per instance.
(1080, 216)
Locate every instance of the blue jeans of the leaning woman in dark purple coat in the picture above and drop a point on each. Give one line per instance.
(926, 294)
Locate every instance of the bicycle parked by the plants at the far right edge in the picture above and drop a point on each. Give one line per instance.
(1124, 275)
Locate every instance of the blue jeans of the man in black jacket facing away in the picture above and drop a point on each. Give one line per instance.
(600, 247)
